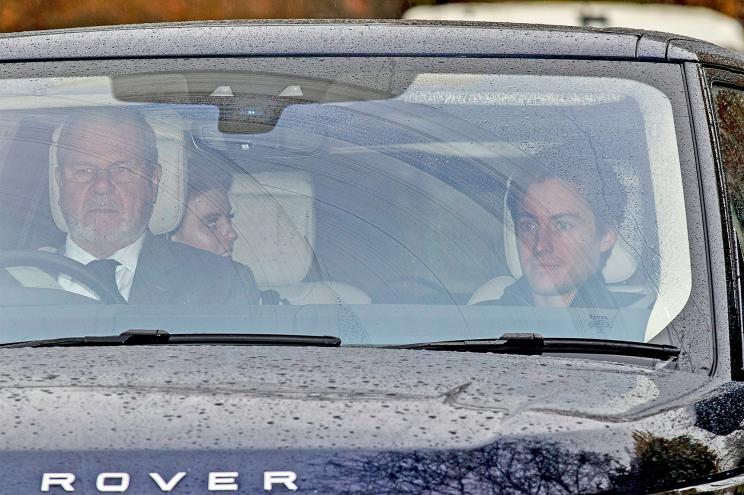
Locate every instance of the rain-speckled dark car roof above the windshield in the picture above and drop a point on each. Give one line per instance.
(359, 38)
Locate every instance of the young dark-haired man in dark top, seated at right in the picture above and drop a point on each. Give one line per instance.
(566, 227)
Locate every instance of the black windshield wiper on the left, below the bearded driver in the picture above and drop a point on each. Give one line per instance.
(154, 337)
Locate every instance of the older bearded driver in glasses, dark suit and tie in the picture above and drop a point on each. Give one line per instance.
(108, 176)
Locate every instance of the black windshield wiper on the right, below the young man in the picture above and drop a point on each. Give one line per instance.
(535, 344)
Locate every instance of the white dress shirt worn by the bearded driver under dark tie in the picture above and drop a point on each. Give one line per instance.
(126, 256)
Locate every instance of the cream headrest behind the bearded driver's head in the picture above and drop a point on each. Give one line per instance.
(170, 204)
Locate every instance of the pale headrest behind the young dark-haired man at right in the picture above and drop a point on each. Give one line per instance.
(620, 266)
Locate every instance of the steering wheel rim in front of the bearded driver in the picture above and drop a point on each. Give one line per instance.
(61, 264)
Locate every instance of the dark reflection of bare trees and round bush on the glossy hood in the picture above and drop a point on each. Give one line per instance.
(524, 467)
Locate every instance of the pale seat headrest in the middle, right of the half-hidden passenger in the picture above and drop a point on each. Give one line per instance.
(273, 217)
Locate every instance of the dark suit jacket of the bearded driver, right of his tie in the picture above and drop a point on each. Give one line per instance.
(174, 273)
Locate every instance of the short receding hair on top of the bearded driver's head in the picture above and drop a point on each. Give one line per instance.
(115, 115)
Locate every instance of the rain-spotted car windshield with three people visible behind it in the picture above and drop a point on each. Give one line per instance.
(382, 202)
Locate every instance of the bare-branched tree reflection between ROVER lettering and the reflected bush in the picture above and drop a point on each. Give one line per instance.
(510, 467)
